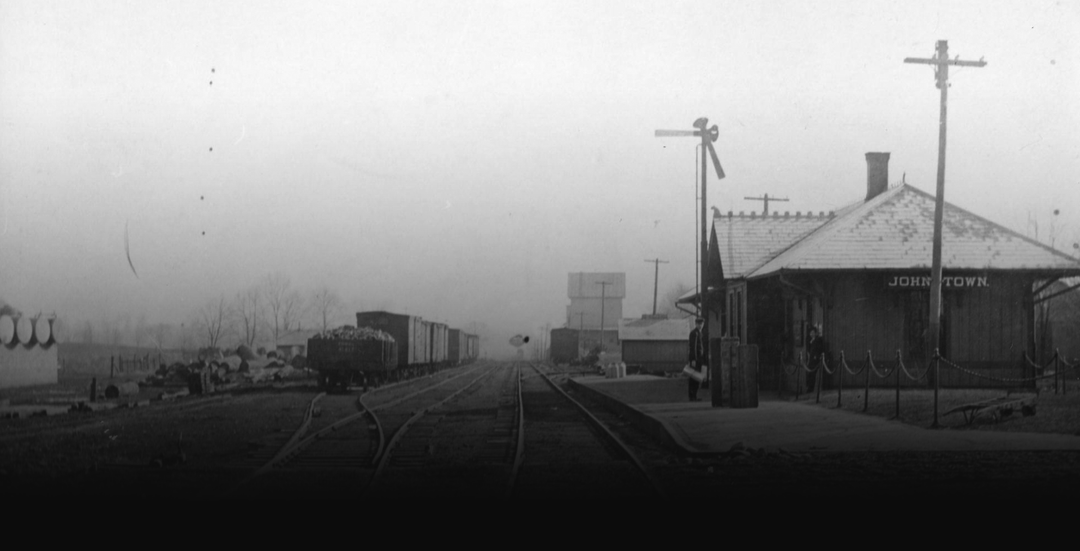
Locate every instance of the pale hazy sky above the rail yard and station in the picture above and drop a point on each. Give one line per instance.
(456, 160)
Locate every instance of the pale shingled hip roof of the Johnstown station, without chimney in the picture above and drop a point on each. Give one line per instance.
(894, 231)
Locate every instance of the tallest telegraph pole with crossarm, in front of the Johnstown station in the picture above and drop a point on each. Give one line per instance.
(941, 62)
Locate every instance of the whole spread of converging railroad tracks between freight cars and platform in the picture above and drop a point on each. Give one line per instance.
(491, 432)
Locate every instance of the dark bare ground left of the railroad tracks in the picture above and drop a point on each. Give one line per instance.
(140, 451)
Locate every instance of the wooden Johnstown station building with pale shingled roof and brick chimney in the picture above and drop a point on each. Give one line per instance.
(861, 276)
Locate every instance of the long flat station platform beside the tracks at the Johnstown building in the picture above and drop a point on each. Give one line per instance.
(660, 407)
